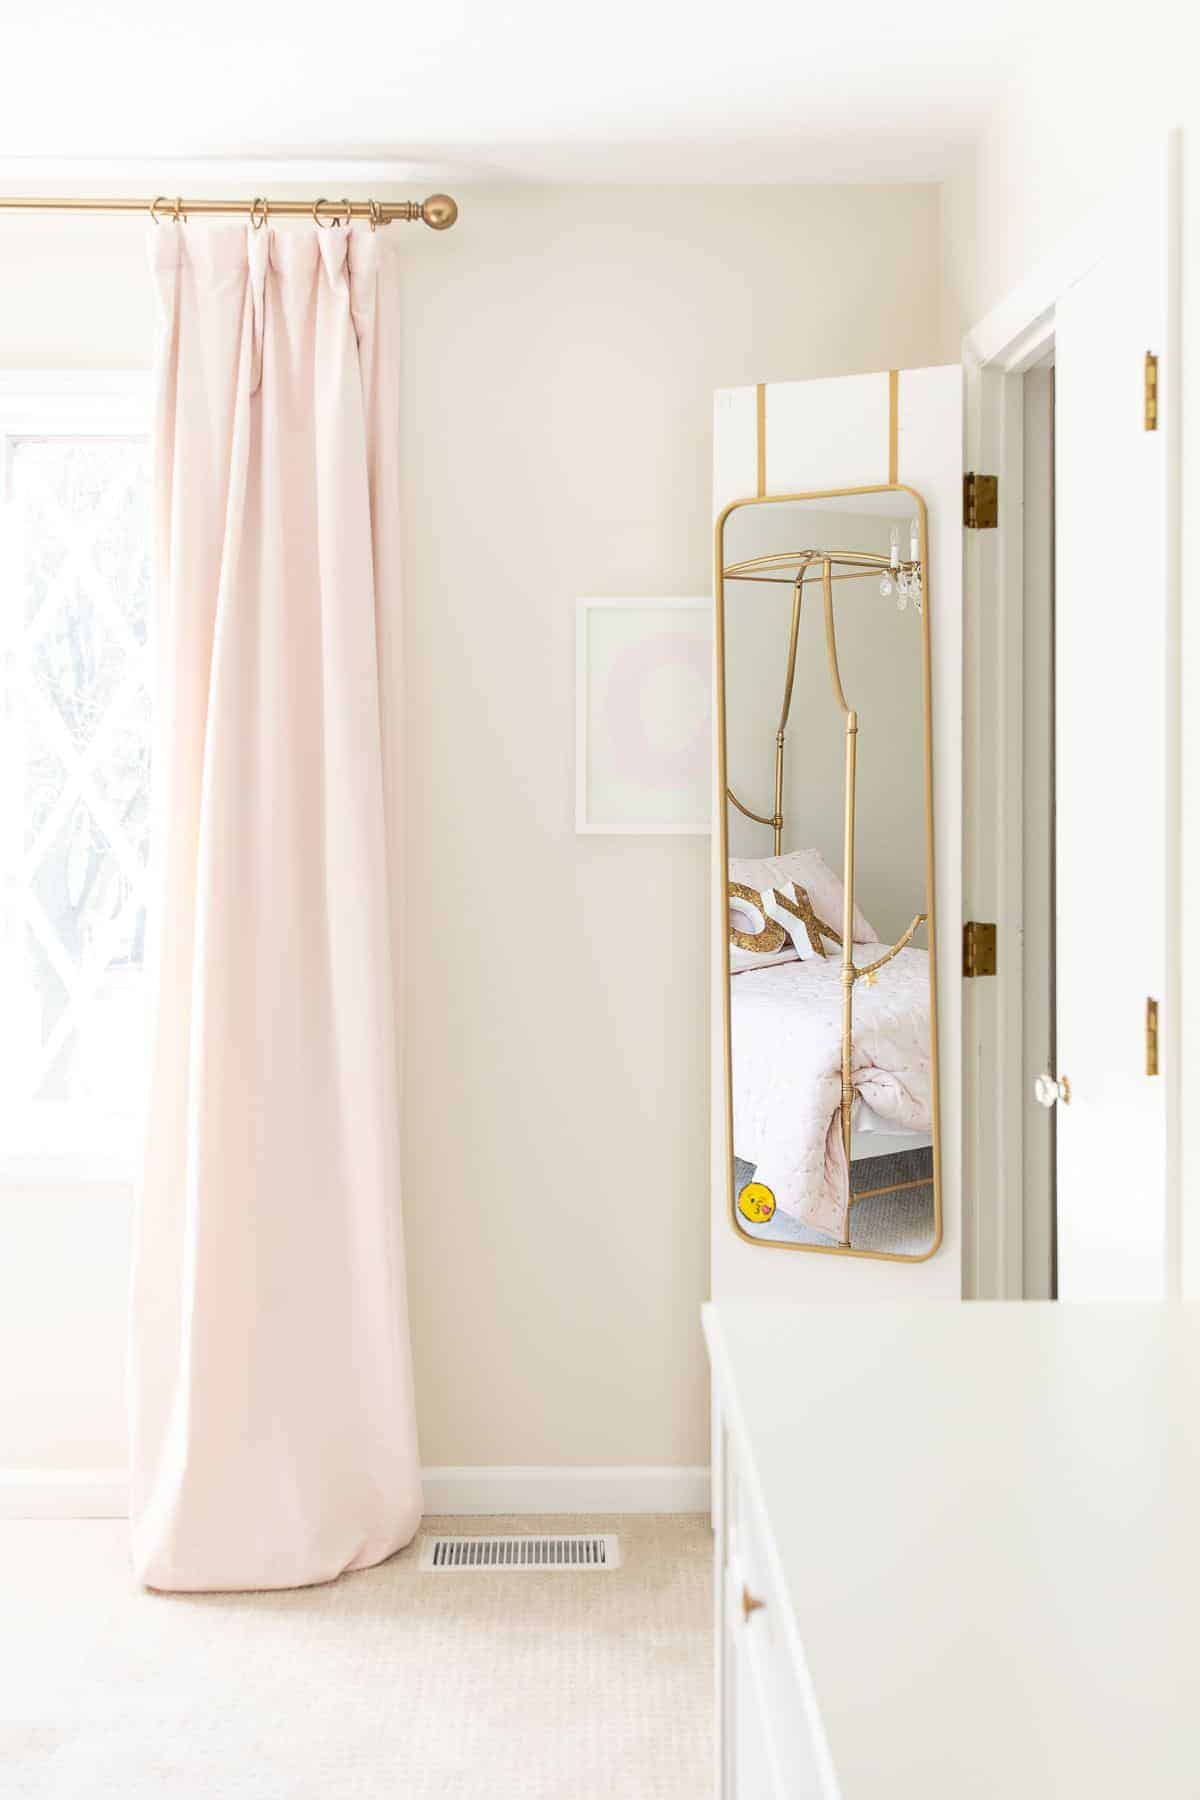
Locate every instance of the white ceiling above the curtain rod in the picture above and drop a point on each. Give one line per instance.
(631, 91)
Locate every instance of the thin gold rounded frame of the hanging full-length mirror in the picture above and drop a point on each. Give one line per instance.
(722, 832)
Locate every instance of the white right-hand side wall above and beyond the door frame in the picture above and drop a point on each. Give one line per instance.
(1088, 107)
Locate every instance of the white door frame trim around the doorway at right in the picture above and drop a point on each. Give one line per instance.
(998, 354)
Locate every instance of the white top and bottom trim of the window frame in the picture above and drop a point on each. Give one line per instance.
(78, 404)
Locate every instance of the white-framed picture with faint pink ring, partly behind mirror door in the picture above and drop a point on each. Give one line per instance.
(645, 715)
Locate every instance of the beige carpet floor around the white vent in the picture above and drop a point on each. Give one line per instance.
(384, 1686)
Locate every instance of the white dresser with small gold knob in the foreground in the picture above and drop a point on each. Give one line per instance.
(958, 1551)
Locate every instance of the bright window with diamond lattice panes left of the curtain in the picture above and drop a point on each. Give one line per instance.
(75, 766)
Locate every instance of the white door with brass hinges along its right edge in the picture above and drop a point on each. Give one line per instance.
(1113, 724)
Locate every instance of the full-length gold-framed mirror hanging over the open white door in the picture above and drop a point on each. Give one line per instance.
(825, 611)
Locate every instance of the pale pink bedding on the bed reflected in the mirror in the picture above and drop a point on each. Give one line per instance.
(787, 1065)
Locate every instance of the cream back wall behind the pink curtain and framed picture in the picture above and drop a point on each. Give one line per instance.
(562, 352)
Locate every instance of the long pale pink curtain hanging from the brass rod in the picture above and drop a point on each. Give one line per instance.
(274, 1434)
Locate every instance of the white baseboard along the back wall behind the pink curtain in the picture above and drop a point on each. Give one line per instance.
(469, 1491)
